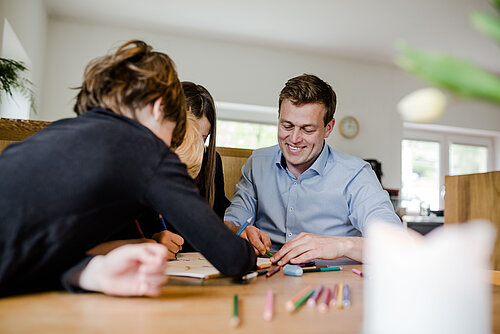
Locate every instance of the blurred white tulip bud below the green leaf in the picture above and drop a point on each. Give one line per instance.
(423, 105)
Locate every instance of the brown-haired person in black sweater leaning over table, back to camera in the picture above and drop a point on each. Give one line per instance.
(75, 183)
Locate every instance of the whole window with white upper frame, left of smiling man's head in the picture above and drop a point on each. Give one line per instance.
(246, 126)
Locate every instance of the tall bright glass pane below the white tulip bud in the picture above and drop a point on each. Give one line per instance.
(420, 175)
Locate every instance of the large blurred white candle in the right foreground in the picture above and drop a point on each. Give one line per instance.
(433, 284)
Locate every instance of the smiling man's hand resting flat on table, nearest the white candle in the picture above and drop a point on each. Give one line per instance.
(306, 247)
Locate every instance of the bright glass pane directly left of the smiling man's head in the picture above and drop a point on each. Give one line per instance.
(245, 135)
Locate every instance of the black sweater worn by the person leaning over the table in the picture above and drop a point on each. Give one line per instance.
(74, 184)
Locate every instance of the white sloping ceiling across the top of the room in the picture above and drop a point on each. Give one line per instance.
(361, 29)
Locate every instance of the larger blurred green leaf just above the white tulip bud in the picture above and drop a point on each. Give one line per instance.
(456, 75)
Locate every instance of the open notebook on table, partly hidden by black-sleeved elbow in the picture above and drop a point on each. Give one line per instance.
(196, 266)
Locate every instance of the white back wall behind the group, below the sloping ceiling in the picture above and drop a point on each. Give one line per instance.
(255, 75)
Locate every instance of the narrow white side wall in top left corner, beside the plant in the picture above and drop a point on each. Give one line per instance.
(28, 19)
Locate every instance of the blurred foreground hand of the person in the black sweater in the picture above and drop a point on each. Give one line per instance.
(130, 270)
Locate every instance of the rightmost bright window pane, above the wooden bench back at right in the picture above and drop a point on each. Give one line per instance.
(468, 159)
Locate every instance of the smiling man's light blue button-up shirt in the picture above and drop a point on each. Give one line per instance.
(337, 196)
